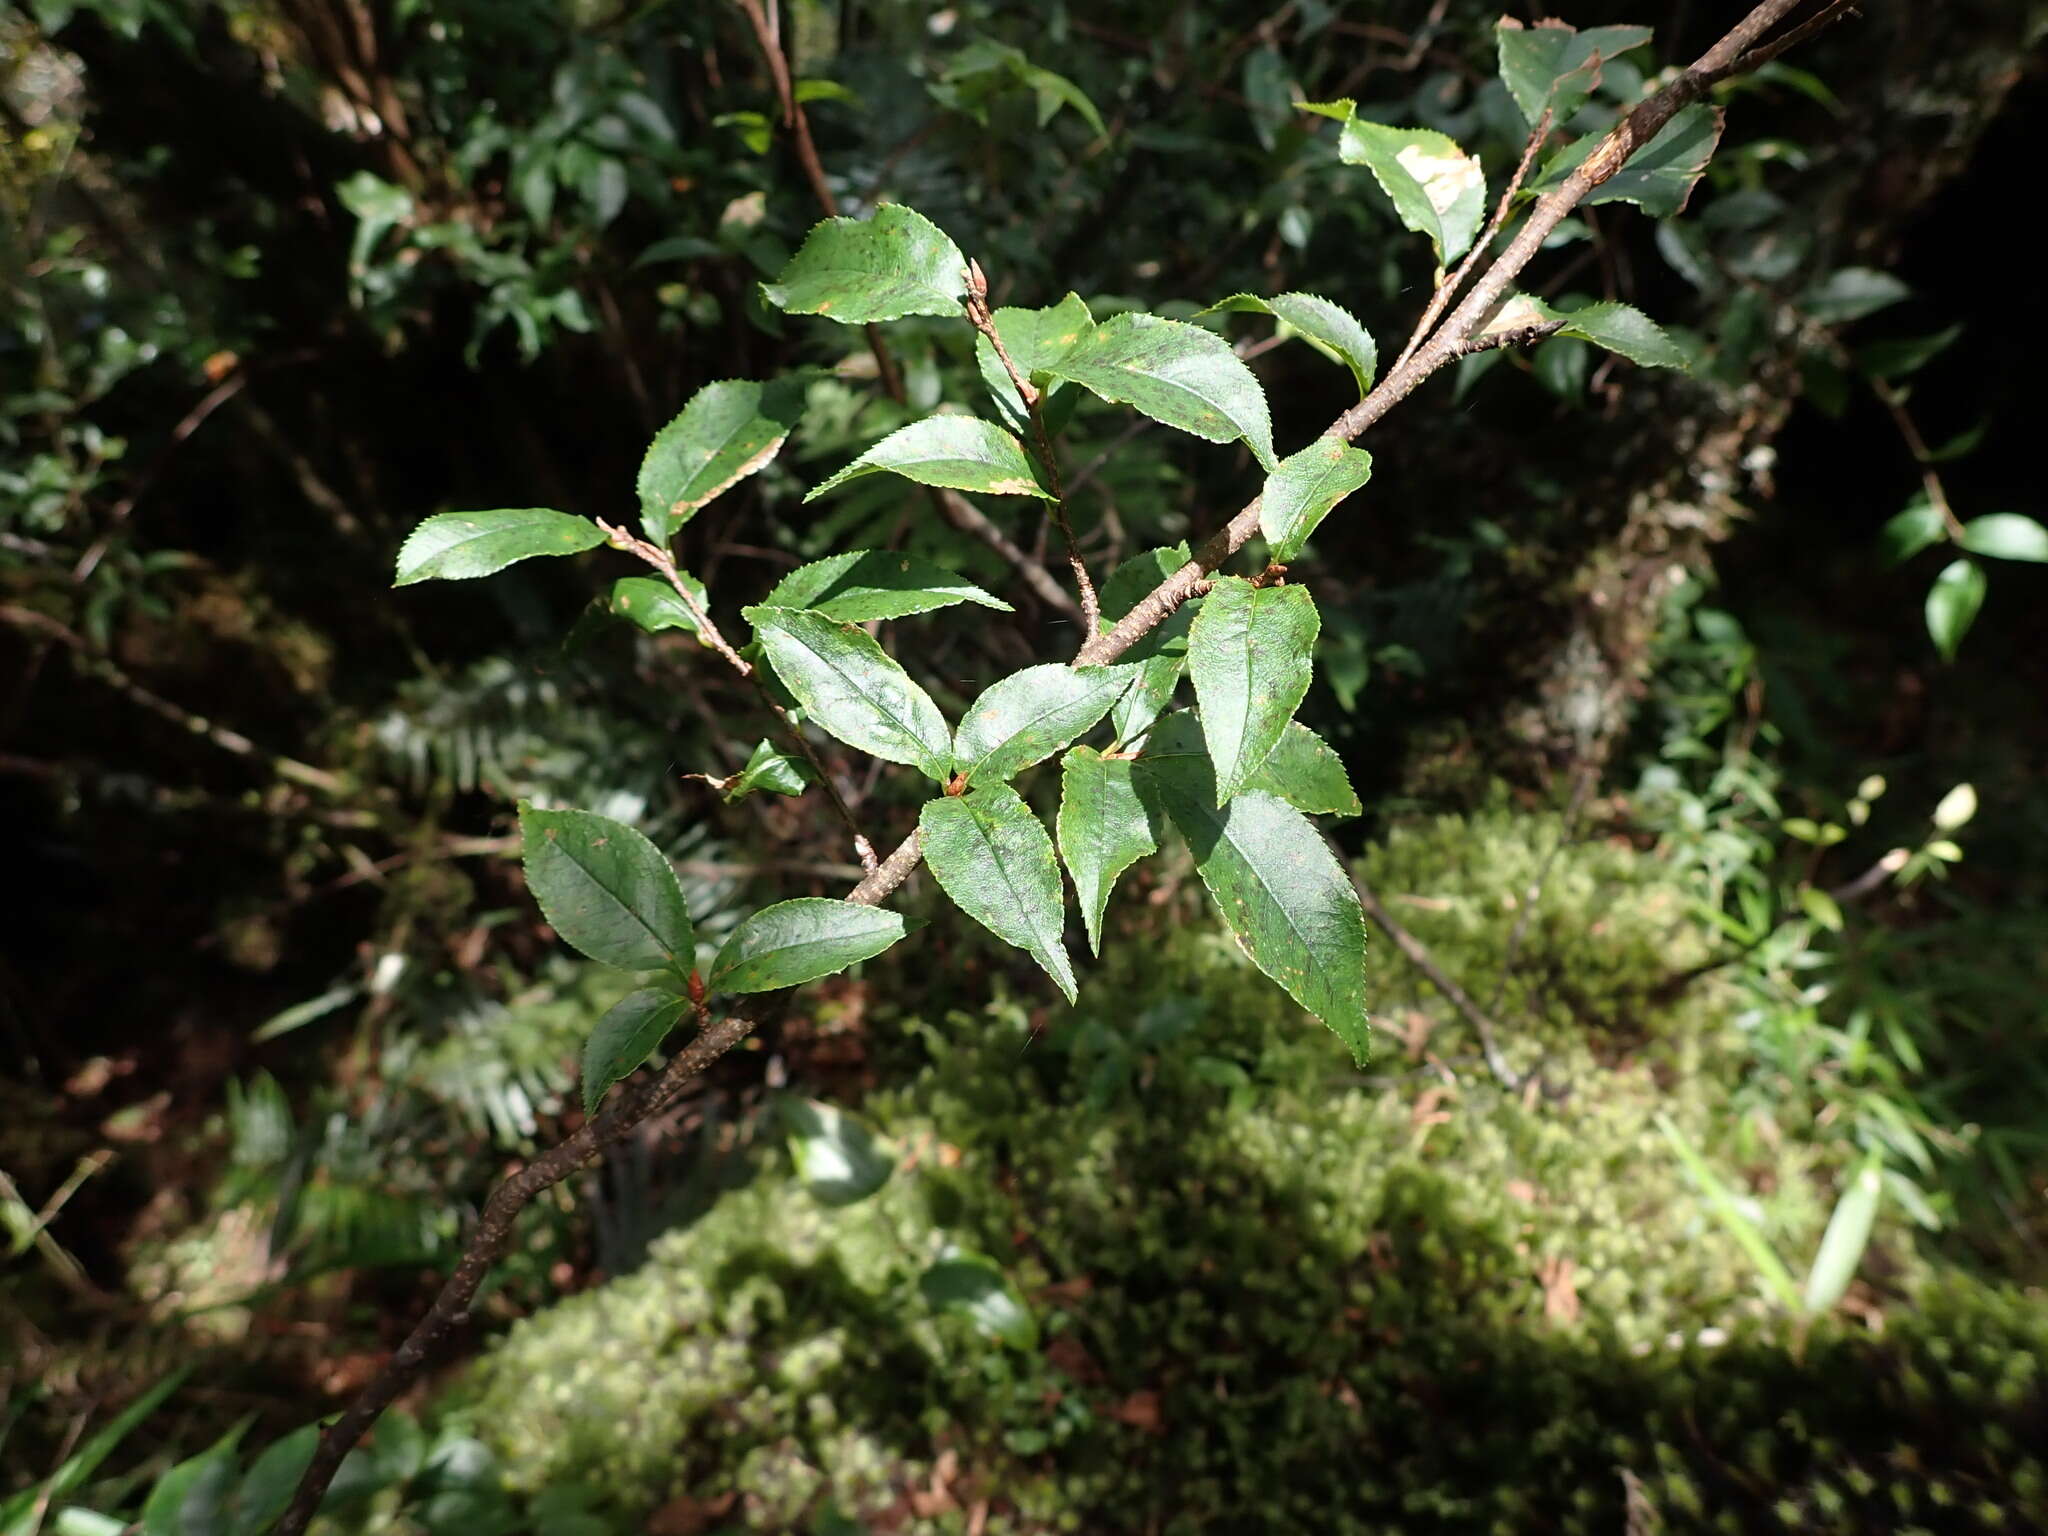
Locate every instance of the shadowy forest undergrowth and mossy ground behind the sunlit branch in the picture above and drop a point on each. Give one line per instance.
(1631, 673)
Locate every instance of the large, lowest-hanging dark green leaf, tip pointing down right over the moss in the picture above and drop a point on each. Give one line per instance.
(1275, 882)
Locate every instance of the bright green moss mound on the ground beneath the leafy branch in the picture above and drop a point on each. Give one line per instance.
(1279, 1293)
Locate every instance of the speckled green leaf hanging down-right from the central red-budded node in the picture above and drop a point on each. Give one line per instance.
(992, 857)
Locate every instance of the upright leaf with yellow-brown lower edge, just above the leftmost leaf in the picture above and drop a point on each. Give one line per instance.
(726, 433)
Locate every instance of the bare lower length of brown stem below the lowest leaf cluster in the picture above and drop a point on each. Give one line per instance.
(490, 1238)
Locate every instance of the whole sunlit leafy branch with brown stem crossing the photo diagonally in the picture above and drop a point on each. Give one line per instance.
(1232, 775)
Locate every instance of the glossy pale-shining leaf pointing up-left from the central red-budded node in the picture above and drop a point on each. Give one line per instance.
(855, 689)
